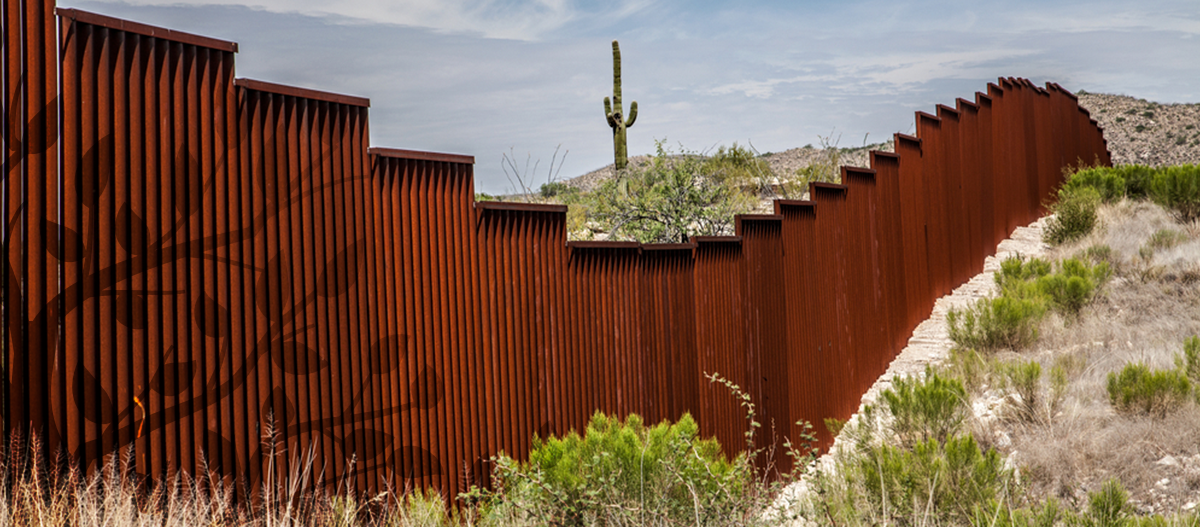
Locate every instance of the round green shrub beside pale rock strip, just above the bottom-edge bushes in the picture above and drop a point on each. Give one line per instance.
(926, 410)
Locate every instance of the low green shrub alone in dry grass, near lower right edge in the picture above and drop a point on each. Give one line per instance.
(1137, 390)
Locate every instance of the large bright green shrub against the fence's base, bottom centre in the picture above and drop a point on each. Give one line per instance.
(665, 471)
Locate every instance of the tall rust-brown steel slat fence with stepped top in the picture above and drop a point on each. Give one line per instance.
(188, 255)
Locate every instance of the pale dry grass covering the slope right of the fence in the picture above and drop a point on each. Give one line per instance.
(1144, 315)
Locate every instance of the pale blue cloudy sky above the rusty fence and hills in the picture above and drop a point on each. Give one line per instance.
(489, 77)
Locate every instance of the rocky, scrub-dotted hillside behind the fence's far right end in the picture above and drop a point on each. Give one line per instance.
(1143, 133)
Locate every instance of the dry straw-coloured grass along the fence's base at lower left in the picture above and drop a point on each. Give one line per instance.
(40, 494)
